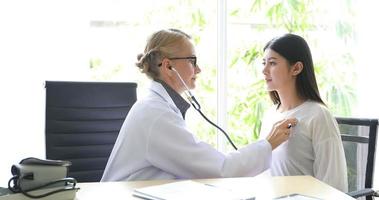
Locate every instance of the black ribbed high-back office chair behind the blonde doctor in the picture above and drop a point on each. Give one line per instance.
(82, 123)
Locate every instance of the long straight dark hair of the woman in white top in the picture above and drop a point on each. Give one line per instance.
(295, 49)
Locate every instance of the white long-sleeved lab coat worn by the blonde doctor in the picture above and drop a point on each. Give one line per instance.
(154, 143)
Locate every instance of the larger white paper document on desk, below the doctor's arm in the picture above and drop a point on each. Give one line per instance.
(186, 190)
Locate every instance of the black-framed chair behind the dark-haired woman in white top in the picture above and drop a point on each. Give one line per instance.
(359, 141)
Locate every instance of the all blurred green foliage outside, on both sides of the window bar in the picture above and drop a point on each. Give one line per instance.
(247, 96)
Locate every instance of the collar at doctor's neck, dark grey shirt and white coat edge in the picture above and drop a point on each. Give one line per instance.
(171, 96)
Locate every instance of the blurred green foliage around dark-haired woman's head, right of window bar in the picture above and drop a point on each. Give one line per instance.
(295, 16)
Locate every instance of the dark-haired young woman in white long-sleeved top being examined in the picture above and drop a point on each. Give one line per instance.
(314, 147)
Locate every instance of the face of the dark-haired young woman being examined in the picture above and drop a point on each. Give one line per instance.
(276, 72)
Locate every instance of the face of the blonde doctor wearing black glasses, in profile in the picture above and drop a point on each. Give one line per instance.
(185, 64)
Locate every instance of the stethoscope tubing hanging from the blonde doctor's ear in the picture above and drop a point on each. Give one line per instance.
(195, 104)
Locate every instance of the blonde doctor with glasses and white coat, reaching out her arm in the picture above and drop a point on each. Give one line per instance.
(154, 142)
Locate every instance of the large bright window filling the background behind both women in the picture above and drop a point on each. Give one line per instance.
(99, 40)
